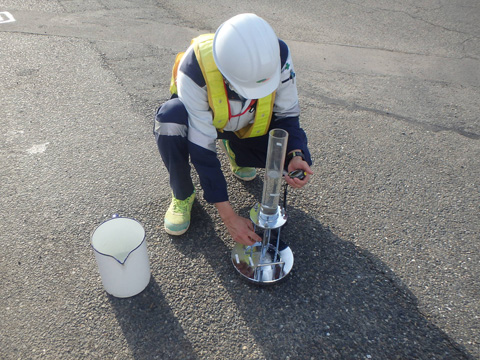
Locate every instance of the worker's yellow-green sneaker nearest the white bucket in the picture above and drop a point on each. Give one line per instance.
(177, 217)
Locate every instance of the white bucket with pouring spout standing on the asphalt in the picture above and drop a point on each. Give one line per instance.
(121, 253)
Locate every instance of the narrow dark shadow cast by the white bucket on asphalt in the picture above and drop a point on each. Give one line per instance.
(150, 327)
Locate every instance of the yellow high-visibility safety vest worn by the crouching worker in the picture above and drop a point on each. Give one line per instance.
(217, 92)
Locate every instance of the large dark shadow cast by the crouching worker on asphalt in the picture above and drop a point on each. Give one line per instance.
(338, 302)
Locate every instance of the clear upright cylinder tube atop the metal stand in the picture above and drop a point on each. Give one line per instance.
(277, 147)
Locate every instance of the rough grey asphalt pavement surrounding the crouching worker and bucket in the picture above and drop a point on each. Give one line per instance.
(385, 237)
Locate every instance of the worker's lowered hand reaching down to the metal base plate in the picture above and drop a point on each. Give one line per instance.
(239, 228)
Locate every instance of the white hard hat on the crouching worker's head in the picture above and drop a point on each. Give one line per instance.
(247, 53)
